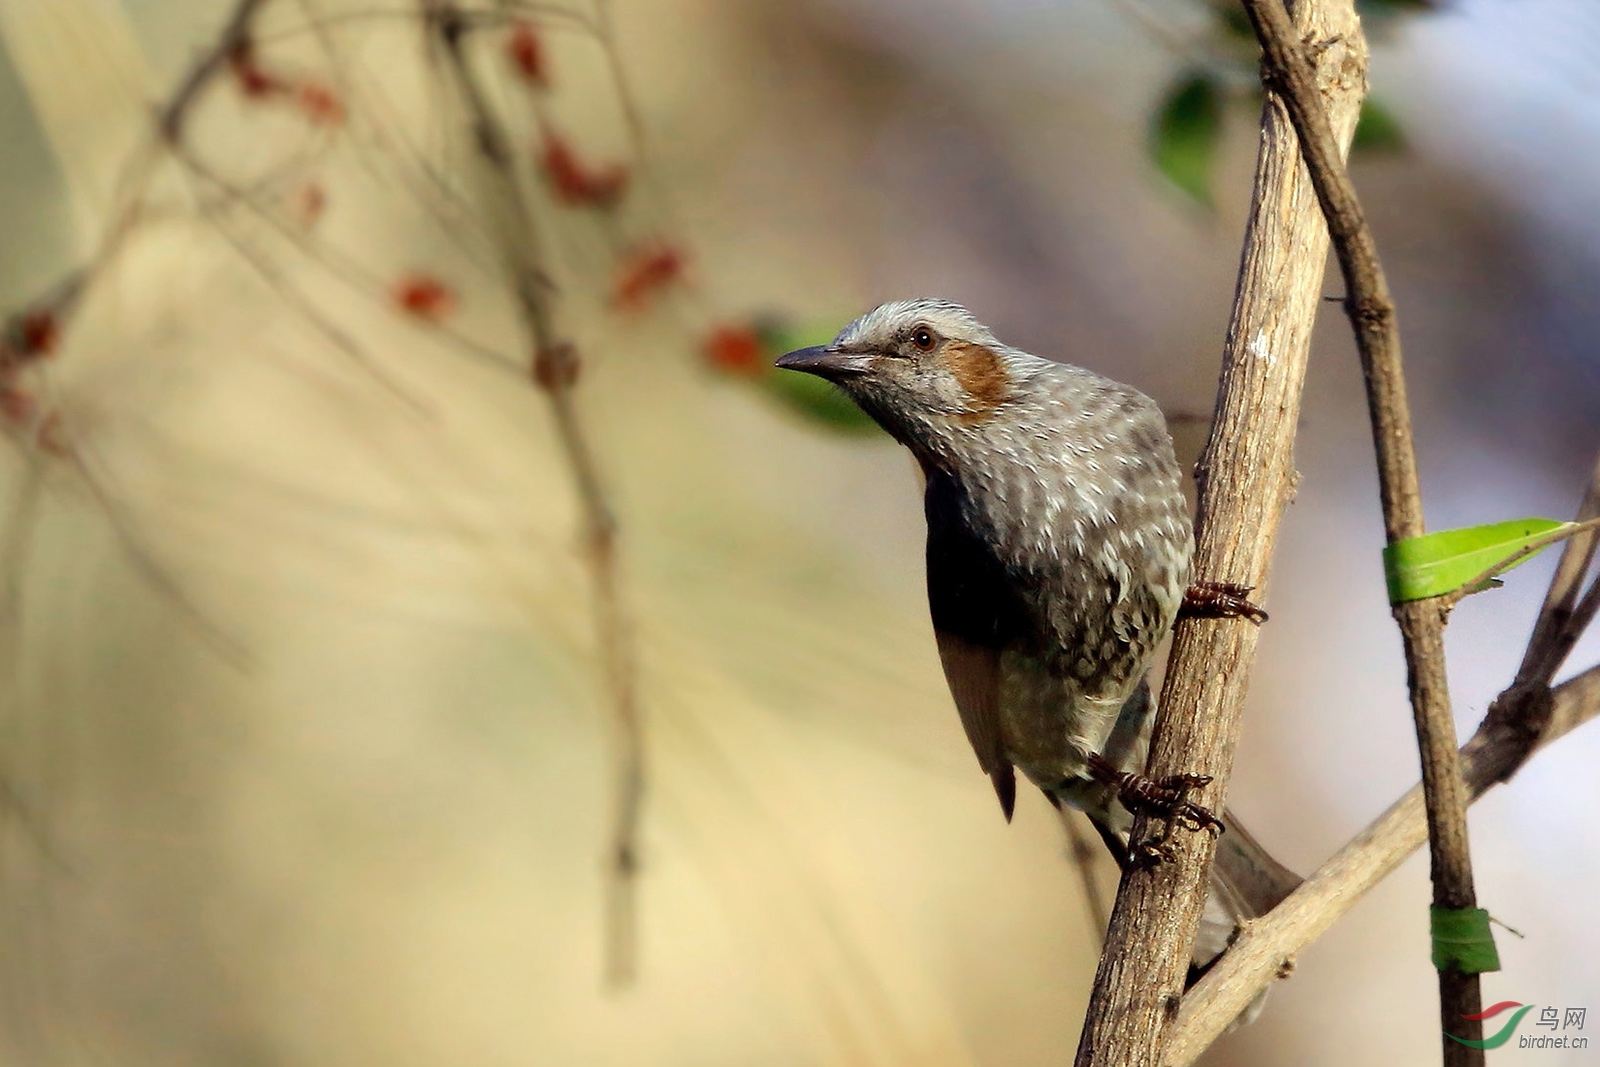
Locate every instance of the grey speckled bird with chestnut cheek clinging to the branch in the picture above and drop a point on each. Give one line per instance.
(1058, 559)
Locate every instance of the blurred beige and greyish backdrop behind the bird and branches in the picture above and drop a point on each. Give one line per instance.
(300, 682)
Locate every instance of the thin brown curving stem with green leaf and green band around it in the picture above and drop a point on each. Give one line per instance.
(1289, 71)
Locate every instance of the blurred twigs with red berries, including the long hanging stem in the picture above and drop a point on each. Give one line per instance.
(514, 185)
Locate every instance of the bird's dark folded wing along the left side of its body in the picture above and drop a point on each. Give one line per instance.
(975, 617)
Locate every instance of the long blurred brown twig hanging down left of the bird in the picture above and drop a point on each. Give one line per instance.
(556, 372)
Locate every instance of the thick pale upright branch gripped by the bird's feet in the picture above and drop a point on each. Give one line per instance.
(1246, 482)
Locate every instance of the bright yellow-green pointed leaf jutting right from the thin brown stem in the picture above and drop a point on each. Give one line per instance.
(1444, 562)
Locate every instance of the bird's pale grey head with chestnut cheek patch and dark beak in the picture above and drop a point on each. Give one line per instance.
(927, 372)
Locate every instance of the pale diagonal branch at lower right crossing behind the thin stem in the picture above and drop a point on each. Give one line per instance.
(1265, 948)
